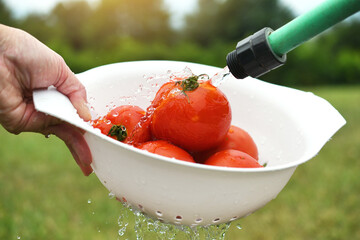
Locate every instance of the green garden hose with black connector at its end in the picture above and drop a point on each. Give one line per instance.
(266, 49)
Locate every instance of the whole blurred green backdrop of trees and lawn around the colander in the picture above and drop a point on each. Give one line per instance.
(43, 194)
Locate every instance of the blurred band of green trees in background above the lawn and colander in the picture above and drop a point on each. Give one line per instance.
(119, 30)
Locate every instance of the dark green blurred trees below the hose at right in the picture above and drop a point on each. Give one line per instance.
(330, 58)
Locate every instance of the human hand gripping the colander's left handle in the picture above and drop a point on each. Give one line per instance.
(25, 65)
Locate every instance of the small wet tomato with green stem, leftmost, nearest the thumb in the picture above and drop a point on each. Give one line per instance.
(120, 122)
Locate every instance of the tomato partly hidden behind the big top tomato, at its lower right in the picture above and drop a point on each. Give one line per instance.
(237, 139)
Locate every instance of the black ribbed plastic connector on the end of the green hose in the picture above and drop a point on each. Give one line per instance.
(253, 56)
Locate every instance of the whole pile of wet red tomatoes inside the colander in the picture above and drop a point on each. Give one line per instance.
(189, 119)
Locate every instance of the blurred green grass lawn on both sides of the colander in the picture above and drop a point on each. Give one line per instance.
(43, 194)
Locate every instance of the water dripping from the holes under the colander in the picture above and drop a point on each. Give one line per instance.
(149, 228)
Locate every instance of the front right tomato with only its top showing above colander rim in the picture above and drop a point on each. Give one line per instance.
(232, 158)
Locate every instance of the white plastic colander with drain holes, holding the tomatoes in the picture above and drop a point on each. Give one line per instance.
(288, 126)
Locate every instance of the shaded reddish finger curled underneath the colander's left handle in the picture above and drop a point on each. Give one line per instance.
(76, 143)
